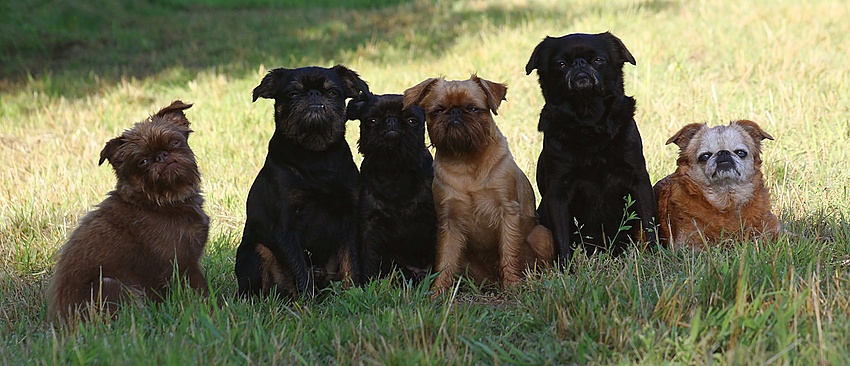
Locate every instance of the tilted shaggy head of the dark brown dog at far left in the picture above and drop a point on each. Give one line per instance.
(153, 160)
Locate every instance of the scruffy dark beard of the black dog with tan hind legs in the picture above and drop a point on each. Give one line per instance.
(313, 128)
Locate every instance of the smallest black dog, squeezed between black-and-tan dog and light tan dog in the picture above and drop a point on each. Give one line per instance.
(397, 214)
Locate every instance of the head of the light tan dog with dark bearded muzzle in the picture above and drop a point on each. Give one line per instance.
(458, 112)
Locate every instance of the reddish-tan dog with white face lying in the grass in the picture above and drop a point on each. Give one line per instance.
(717, 191)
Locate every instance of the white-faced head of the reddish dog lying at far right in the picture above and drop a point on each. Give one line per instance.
(721, 155)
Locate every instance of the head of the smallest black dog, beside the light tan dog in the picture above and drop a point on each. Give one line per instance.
(386, 126)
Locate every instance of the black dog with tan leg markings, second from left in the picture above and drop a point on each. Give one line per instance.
(301, 228)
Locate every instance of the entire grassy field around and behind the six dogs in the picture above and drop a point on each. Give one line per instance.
(75, 74)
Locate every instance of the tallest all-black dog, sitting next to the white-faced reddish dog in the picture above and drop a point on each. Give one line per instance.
(592, 155)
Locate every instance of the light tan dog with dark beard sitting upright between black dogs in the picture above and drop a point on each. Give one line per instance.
(485, 204)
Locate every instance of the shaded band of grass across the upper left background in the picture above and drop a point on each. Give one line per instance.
(74, 48)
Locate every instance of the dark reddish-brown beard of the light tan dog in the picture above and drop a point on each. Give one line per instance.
(458, 139)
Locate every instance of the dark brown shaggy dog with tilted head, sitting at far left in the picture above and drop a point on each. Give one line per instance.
(125, 250)
